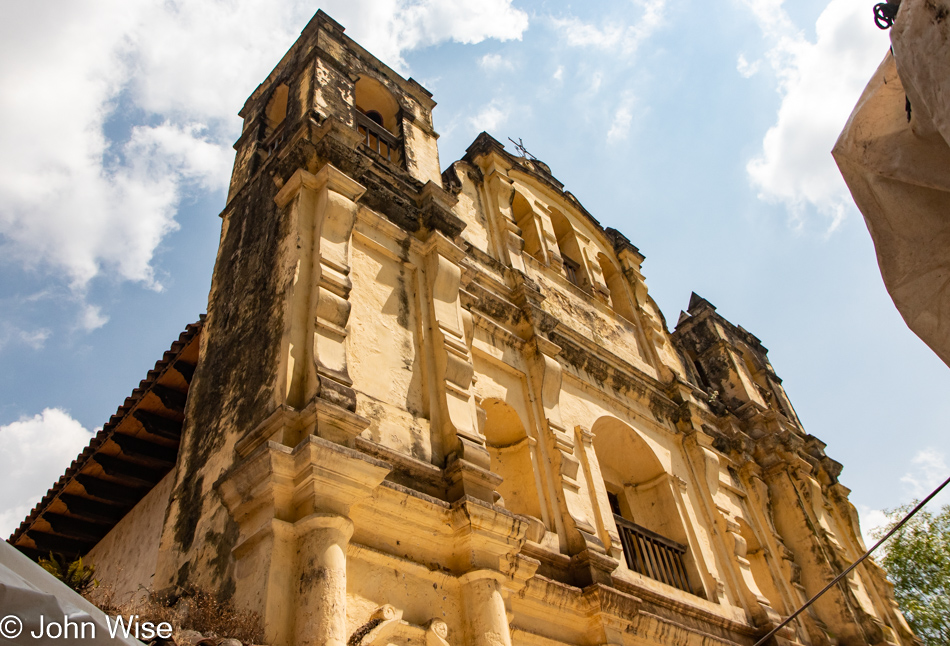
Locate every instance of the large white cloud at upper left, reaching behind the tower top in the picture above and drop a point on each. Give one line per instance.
(78, 205)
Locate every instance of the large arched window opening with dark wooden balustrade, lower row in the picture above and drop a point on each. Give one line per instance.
(641, 498)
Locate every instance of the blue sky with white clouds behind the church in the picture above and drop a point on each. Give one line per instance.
(701, 130)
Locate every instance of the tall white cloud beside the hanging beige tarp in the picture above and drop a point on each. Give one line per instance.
(820, 83)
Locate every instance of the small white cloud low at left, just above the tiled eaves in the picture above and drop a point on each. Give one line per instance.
(34, 453)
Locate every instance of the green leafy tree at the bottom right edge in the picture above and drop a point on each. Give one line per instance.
(917, 561)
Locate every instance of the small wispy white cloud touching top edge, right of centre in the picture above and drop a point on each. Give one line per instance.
(614, 36)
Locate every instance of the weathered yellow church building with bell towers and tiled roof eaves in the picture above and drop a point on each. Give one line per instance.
(439, 408)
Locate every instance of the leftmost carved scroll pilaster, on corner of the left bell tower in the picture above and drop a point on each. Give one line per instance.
(322, 209)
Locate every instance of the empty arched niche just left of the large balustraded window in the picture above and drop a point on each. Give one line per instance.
(512, 458)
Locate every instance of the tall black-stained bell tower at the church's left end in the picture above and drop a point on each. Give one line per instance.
(275, 456)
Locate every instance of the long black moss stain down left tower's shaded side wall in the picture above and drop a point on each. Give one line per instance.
(235, 377)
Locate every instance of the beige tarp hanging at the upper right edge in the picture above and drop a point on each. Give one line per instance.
(898, 170)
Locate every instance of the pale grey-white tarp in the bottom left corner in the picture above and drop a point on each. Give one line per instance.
(29, 595)
